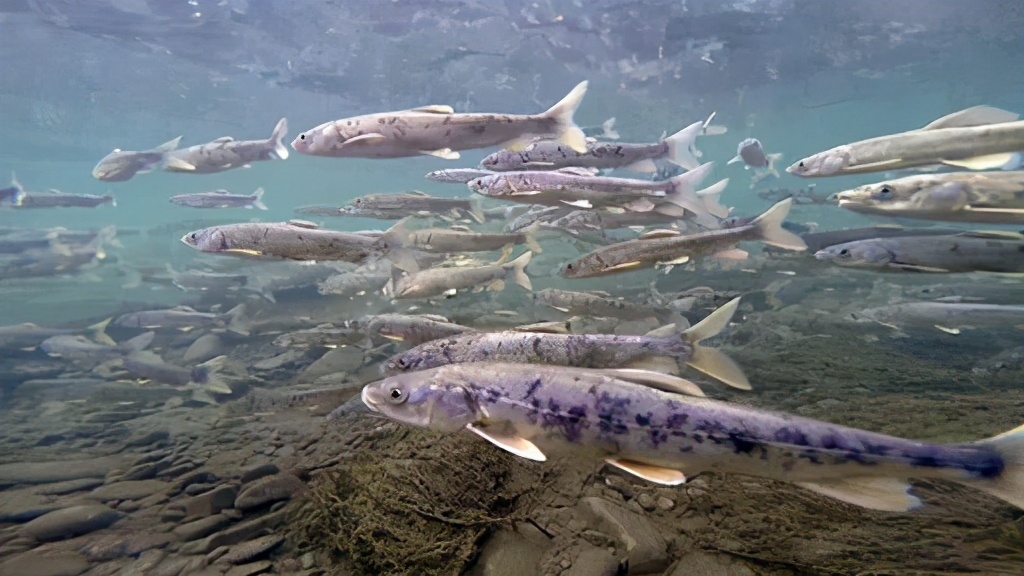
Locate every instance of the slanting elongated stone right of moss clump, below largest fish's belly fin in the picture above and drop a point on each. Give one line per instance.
(646, 547)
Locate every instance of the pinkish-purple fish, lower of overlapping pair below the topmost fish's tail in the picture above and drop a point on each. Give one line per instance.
(676, 197)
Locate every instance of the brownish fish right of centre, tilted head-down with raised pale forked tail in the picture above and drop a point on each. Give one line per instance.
(671, 248)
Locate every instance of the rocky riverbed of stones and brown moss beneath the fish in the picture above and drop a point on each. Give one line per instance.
(110, 479)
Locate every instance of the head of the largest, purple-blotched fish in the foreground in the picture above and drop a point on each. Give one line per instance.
(429, 399)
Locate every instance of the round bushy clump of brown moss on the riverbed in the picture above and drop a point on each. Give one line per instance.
(415, 504)
